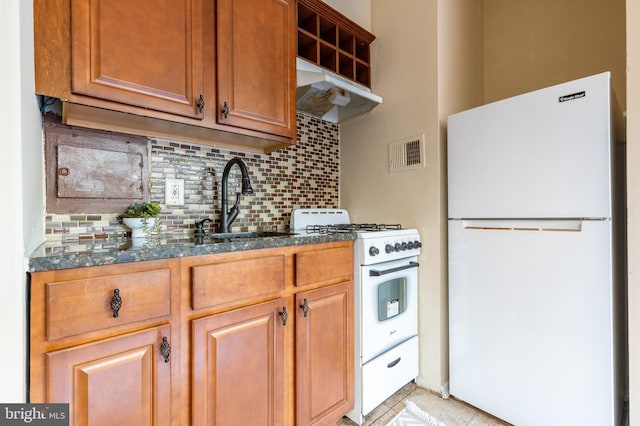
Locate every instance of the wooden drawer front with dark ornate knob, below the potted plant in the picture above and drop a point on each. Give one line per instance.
(82, 306)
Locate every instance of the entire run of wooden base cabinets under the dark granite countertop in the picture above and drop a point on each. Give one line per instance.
(167, 343)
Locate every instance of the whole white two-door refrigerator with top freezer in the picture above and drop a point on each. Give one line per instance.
(535, 256)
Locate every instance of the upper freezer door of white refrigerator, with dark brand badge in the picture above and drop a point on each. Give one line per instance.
(542, 154)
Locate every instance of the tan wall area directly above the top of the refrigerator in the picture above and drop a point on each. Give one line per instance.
(534, 44)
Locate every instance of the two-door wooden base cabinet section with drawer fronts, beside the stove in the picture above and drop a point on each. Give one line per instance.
(288, 358)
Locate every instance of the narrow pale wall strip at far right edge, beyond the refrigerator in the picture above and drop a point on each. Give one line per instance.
(633, 202)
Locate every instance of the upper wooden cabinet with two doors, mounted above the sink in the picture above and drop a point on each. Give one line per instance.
(217, 73)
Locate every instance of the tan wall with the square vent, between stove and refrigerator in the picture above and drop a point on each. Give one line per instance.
(404, 58)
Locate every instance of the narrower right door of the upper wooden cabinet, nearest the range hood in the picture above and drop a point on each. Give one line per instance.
(256, 65)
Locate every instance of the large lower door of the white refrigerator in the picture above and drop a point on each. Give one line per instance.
(531, 320)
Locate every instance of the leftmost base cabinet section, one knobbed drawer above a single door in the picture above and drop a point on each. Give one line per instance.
(105, 339)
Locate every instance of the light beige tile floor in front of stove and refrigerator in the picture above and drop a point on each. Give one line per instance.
(450, 411)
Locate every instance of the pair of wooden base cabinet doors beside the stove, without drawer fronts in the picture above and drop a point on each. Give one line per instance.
(239, 360)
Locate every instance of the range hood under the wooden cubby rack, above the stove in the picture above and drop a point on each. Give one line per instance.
(326, 95)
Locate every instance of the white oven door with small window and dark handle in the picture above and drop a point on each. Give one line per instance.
(389, 305)
